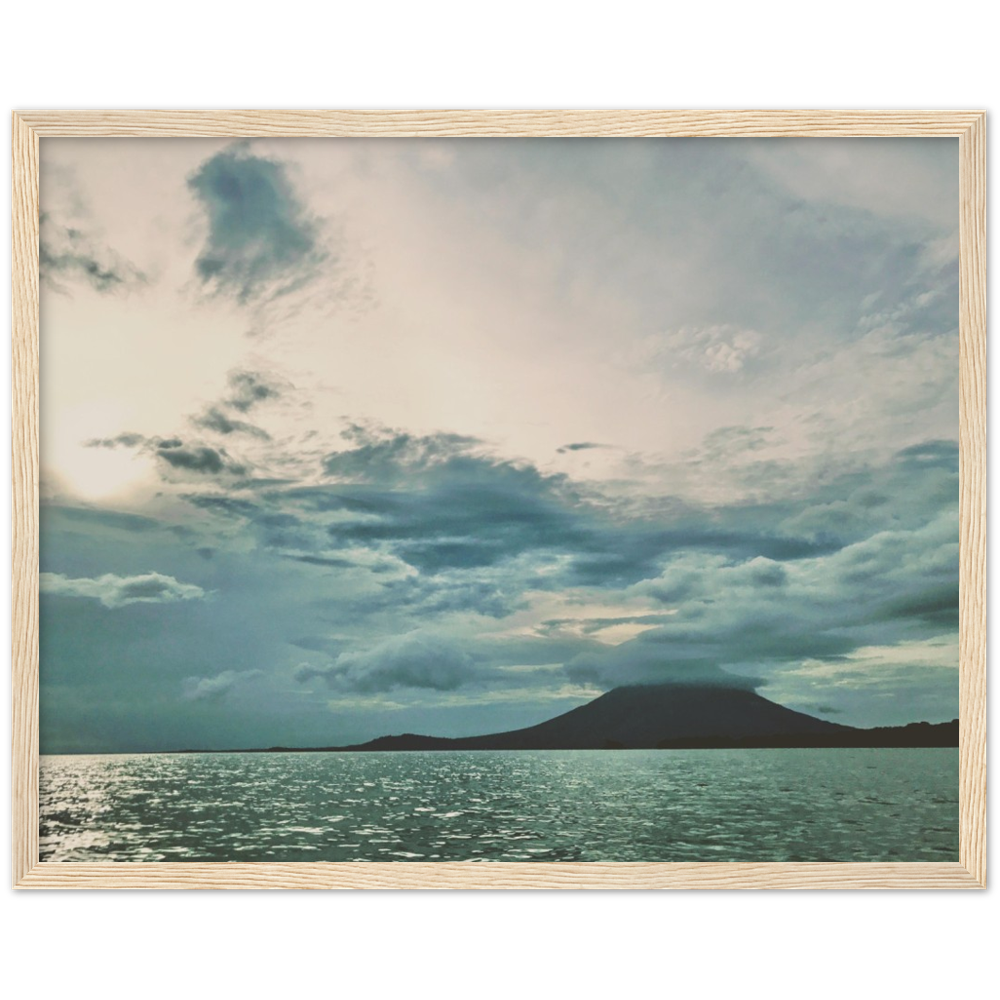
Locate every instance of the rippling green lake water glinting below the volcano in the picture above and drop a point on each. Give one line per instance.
(545, 805)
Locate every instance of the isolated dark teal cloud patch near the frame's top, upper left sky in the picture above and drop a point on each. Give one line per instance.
(261, 241)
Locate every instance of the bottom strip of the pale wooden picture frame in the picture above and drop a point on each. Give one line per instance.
(497, 875)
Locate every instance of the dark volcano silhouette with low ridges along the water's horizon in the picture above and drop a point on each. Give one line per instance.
(673, 715)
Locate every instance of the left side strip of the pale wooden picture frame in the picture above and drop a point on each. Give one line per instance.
(23, 498)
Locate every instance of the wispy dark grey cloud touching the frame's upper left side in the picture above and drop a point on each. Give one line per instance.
(67, 254)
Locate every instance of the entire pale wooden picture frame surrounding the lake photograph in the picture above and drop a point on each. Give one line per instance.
(29, 125)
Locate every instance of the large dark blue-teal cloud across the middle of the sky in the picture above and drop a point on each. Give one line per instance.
(466, 510)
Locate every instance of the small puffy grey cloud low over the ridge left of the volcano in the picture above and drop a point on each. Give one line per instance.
(414, 660)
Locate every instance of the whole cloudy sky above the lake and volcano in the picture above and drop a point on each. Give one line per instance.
(344, 437)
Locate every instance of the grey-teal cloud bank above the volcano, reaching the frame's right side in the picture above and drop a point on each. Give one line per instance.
(766, 616)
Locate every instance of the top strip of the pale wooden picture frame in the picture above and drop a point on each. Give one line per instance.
(495, 122)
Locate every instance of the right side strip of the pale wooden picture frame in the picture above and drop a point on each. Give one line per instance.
(972, 505)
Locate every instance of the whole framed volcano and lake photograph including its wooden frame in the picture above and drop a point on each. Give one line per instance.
(494, 498)
